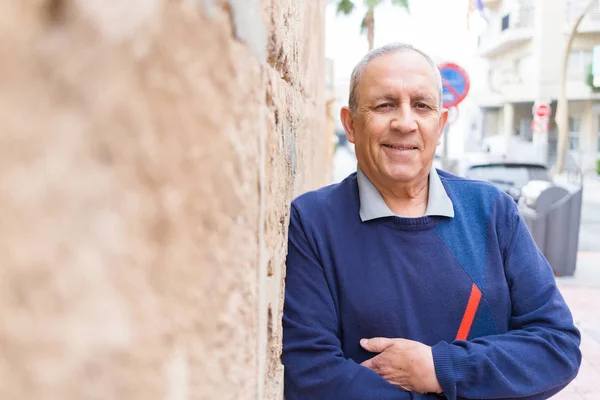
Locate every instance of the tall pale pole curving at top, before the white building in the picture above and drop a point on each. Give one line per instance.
(562, 107)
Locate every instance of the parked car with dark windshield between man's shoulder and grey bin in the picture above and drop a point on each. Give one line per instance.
(509, 176)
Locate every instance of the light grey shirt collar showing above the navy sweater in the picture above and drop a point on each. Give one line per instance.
(372, 205)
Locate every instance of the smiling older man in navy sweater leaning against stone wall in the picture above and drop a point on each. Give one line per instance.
(404, 282)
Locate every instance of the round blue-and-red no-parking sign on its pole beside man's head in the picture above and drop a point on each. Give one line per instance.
(455, 87)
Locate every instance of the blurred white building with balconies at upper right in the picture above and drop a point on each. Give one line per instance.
(524, 43)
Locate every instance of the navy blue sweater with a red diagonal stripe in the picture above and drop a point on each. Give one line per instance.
(475, 287)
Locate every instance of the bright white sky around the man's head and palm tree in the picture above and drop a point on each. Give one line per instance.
(438, 27)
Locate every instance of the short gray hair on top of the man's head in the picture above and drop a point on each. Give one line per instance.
(387, 49)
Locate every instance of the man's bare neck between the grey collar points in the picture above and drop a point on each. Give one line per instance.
(405, 199)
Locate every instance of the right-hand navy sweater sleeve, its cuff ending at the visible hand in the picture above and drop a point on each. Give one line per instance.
(538, 356)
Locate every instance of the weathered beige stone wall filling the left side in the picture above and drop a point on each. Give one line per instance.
(148, 154)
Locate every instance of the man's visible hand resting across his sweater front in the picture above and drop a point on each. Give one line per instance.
(404, 363)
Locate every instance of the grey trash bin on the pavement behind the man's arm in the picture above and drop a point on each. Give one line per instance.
(553, 215)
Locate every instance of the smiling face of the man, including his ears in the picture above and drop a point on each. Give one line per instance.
(398, 124)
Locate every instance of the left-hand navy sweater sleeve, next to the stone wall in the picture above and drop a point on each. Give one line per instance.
(315, 366)
